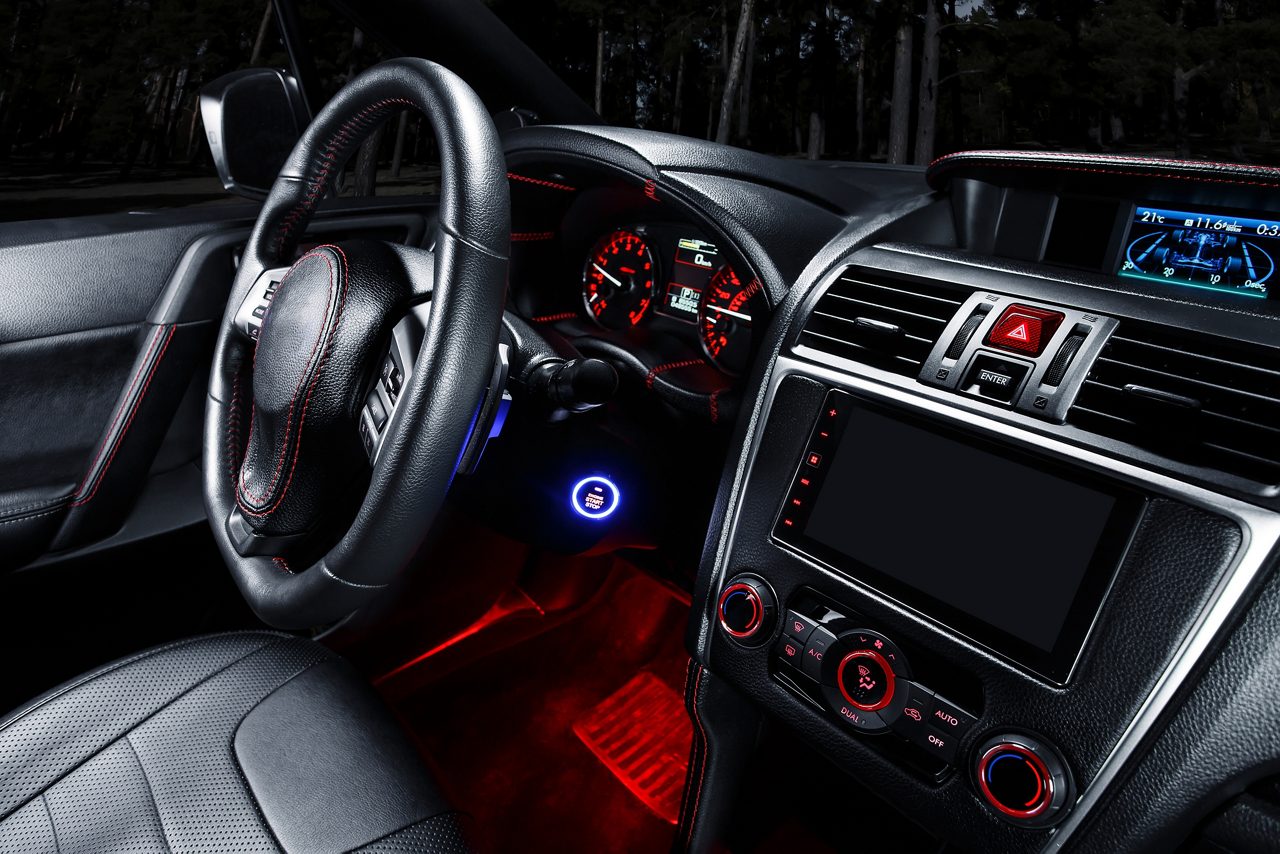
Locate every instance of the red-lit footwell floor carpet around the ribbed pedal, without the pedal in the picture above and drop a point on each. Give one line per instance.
(502, 729)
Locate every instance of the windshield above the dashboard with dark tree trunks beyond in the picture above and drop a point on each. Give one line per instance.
(904, 83)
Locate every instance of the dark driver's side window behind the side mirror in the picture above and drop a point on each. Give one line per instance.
(99, 101)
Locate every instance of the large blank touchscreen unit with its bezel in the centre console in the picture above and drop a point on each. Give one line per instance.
(1007, 550)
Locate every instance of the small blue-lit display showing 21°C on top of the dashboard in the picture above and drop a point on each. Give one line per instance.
(1227, 253)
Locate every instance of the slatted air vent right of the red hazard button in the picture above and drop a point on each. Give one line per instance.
(1199, 399)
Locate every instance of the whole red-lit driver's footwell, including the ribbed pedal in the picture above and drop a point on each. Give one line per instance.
(504, 729)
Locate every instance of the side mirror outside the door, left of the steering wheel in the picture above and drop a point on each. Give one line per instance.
(253, 118)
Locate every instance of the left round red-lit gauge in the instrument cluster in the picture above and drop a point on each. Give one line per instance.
(618, 281)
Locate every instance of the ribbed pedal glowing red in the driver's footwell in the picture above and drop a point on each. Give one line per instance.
(643, 736)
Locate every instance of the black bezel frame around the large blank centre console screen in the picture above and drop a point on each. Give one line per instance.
(1055, 665)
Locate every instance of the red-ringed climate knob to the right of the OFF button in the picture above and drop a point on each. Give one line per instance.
(1023, 779)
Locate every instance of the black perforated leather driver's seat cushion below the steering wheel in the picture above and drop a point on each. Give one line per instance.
(248, 742)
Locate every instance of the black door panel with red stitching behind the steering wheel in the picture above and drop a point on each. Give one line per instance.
(103, 339)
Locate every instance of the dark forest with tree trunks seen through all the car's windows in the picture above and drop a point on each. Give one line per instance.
(98, 98)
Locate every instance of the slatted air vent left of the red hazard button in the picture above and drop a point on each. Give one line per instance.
(880, 321)
